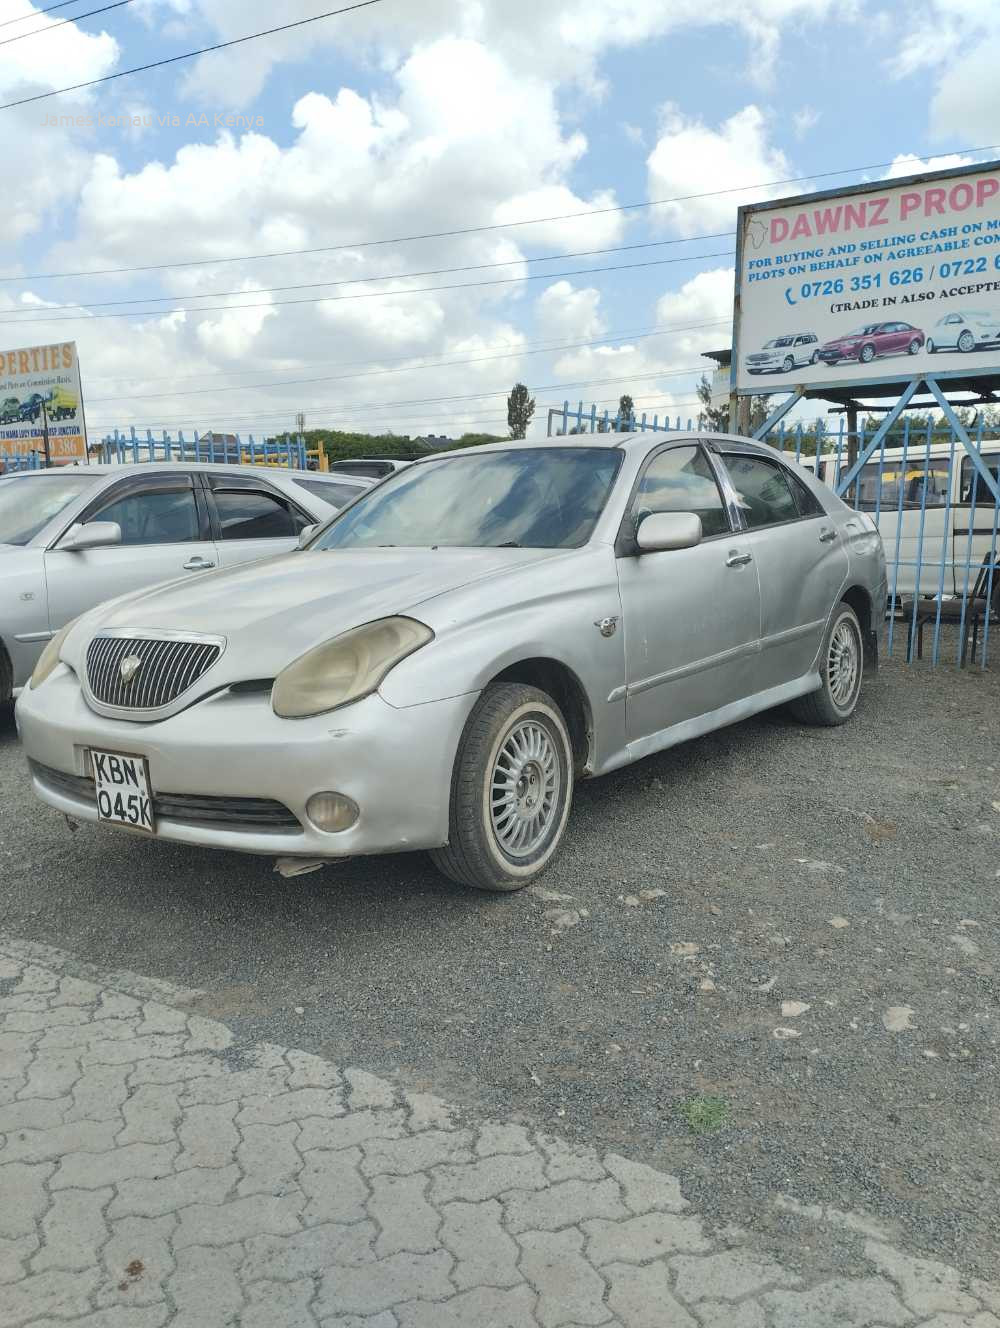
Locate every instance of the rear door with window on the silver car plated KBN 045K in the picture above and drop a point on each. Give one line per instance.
(800, 558)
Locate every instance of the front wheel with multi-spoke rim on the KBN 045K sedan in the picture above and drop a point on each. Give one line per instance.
(512, 789)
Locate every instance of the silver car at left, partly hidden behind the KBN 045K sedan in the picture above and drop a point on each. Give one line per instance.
(74, 537)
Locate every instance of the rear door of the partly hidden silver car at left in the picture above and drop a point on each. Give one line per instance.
(252, 519)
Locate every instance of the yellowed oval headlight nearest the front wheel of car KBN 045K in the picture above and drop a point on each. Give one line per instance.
(347, 669)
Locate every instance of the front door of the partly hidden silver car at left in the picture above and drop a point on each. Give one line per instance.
(165, 536)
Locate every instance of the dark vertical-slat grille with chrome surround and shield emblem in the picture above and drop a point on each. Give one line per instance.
(168, 667)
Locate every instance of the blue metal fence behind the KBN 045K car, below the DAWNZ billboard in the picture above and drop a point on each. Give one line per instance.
(928, 488)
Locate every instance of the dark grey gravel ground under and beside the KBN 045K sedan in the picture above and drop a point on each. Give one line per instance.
(788, 934)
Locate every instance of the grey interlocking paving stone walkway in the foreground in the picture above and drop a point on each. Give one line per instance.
(151, 1175)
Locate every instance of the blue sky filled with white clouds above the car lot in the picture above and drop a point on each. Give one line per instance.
(354, 135)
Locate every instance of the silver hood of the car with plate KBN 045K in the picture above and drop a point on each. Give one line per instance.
(273, 612)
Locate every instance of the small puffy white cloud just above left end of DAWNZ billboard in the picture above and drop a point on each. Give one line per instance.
(693, 159)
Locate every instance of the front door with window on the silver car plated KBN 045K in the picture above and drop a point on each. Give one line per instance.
(693, 617)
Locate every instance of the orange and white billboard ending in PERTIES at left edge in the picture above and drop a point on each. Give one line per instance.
(39, 388)
